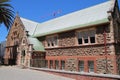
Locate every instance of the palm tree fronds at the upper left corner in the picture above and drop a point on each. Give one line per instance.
(6, 13)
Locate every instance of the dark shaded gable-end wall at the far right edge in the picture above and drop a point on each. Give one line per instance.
(116, 26)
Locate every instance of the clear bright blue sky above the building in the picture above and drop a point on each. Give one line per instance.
(43, 10)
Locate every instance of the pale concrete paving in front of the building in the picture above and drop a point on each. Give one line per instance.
(15, 73)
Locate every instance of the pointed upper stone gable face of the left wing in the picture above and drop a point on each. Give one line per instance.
(16, 33)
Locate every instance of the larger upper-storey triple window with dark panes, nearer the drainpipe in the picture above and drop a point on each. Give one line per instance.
(85, 37)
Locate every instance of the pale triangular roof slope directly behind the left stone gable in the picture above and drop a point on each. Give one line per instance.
(29, 25)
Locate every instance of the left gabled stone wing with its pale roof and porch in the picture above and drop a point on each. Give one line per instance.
(20, 45)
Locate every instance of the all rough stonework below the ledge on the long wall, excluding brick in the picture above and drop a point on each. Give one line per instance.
(71, 63)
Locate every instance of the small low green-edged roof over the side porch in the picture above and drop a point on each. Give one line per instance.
(37, 45)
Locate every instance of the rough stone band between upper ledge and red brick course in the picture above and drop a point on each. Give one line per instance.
(80, 51)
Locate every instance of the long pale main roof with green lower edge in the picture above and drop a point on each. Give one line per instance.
(79, 19)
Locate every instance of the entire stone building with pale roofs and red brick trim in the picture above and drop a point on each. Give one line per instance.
(87, 40)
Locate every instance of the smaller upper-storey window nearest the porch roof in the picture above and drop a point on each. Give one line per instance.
(52, 41)
